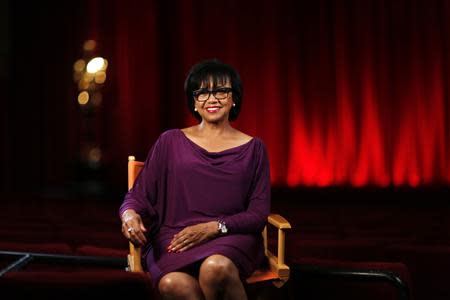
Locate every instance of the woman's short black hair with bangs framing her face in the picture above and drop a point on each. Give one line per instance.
(219, 73)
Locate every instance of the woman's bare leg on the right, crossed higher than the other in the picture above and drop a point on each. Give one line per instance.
(219, 279)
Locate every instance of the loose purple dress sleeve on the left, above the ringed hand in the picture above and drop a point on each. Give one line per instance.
(142, 197)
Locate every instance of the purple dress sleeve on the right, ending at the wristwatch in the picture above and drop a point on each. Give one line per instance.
(254, 218)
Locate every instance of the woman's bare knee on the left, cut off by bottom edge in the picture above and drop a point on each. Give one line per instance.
(179, 285)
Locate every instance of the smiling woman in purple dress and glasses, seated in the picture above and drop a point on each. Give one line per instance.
(202, 199)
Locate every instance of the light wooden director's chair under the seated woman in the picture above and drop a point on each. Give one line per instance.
(278, 271)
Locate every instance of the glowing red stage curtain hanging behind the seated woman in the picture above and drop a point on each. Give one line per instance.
(342, 92)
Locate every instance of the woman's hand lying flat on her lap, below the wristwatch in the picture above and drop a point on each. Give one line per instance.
(192, 235)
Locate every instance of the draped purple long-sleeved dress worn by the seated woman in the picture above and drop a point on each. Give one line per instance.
(182, 184)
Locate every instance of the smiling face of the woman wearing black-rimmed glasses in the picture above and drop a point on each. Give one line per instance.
(214, 102)
